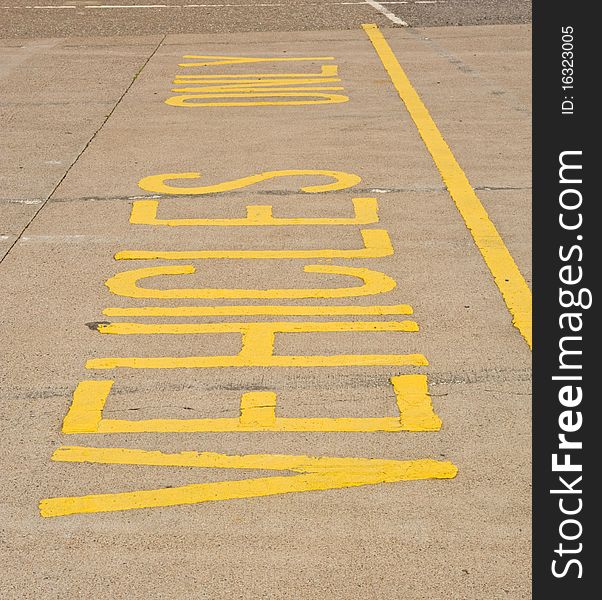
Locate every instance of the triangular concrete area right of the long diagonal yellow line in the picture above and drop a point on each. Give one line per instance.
(464, 78)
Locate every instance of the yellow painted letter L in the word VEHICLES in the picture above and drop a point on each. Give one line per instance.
(377, 244)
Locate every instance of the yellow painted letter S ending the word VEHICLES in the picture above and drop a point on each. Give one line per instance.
(157, 185)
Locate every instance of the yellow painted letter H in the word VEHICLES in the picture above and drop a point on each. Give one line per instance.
(257, 345)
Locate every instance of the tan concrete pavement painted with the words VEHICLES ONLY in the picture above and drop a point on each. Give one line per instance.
(88, 120)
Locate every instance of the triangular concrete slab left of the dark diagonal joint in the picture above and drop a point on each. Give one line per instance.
(56, 94)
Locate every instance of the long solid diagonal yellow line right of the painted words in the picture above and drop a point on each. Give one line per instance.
(508, 278)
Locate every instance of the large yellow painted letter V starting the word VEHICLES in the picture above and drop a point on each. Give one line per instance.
(315, 473)
